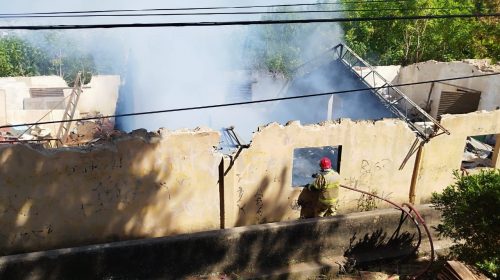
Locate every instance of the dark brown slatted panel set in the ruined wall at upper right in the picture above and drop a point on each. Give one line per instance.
(458, 102)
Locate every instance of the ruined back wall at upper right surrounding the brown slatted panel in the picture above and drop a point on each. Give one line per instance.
(432, 70)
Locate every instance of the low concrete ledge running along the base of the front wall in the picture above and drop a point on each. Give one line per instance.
(243, 250)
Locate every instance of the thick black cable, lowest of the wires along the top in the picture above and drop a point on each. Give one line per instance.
(243, 22)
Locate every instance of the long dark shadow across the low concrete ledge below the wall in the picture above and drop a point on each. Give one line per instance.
(176, 258)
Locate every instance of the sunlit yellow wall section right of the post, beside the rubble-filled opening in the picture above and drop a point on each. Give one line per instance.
(443, 154)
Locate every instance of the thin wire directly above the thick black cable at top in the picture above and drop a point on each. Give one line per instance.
(225, 13)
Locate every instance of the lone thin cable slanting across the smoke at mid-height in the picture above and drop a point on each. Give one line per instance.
(249, 102)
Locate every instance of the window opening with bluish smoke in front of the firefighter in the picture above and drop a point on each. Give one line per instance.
(306, 162)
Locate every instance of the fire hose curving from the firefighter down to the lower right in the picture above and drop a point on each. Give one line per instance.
(416, 220)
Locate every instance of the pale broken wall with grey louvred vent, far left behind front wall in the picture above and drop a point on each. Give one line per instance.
(46, 99)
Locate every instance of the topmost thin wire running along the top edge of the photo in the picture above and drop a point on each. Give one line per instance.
(204, 8)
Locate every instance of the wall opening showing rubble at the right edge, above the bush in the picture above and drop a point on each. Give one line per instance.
(479, 151)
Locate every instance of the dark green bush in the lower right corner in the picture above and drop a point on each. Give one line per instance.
(471, 217)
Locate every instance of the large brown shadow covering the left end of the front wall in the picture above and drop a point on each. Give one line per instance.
(84, 201)
